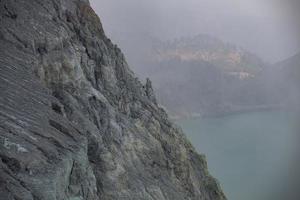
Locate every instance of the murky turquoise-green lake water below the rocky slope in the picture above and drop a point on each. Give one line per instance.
(248, 153)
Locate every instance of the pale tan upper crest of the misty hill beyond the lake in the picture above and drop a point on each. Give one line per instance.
(205, 48)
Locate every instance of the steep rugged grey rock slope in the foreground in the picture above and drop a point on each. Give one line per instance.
(75, 122)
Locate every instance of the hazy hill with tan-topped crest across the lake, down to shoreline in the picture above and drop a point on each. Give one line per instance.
(214, 78)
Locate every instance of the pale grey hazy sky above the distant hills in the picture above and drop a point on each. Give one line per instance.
(269, 28)
